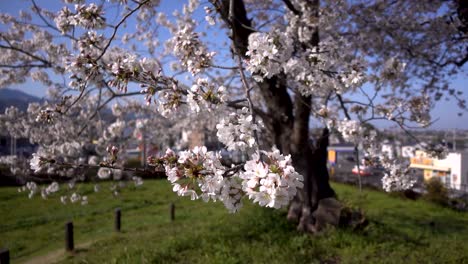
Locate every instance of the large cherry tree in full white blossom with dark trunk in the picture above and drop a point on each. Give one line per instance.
(256, 72)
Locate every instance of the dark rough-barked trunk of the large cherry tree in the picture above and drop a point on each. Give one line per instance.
(288, 122)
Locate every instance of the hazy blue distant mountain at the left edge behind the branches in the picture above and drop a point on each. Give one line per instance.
(10, 97)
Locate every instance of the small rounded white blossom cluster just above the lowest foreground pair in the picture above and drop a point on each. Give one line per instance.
(236, 131)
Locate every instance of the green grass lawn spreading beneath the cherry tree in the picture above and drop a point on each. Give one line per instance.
(400, 231)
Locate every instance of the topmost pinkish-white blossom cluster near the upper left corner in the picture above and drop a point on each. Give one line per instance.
(86, 16)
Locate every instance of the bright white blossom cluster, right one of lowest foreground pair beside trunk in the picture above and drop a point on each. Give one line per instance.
(273, 182)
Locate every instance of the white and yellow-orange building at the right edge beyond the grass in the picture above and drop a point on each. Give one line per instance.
(452, 171)
